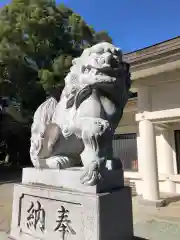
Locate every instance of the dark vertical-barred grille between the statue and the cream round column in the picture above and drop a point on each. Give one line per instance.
(125, 148)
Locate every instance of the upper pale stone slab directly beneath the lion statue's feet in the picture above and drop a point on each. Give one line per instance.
(70, 179)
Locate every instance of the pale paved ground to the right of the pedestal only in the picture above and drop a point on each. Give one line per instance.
(157, 224)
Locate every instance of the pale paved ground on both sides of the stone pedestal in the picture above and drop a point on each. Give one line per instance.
(149, 223)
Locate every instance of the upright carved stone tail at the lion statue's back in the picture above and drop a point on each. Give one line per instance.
(42, 117)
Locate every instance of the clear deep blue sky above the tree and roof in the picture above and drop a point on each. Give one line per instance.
(133, 24)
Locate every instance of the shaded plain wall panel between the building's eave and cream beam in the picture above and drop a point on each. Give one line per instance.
(165, 96)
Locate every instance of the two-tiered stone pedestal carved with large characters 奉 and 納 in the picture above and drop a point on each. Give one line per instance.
(46, 212)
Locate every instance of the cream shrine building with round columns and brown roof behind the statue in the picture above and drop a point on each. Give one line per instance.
(148, 137)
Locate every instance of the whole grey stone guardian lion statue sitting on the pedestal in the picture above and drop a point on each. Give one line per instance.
(80, 127)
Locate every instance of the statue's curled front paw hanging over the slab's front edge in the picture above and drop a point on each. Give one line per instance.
(92, 175)
